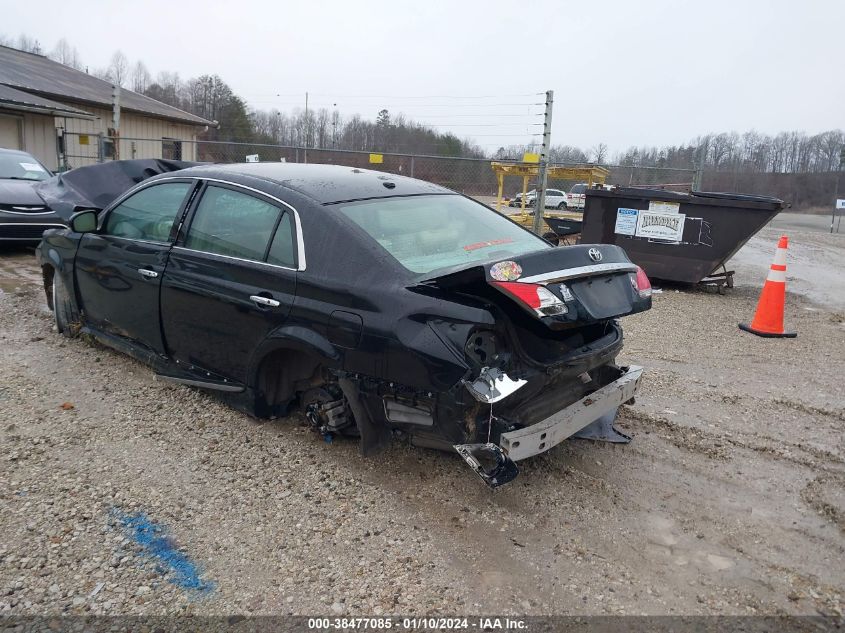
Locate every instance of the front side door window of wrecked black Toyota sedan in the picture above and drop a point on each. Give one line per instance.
(148, 214)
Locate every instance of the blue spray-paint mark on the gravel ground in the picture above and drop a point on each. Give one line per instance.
(157, 545)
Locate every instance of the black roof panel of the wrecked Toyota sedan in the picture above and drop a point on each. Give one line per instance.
(325, 184)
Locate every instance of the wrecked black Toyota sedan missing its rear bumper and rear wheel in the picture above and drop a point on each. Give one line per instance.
(381, 305)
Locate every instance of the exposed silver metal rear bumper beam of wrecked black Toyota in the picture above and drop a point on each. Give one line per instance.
(540, 437)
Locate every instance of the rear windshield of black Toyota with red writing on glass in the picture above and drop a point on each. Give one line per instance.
(428, 233)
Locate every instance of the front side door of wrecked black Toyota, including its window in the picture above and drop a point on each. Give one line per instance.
(119, 268)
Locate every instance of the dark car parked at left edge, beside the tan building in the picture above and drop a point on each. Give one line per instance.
(24, 216)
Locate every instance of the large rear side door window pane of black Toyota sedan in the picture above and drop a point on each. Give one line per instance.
(232, 223)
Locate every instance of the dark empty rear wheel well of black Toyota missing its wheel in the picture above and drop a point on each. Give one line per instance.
(282, 375)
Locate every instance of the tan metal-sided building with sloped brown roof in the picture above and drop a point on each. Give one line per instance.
(65, 117)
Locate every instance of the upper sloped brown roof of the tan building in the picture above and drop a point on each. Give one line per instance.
(44, 77)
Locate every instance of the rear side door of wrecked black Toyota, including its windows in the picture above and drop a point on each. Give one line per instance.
(230, 280)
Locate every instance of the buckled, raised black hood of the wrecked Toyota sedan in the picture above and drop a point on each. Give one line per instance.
(95, 186)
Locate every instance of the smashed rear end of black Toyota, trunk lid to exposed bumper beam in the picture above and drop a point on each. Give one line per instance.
(545, 369)
